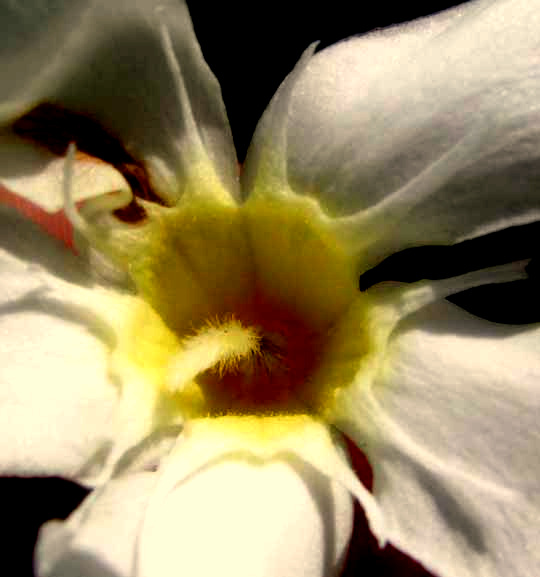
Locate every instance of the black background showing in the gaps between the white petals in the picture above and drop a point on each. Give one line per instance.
(251, 46)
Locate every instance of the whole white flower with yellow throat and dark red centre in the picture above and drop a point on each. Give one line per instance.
(200, 381)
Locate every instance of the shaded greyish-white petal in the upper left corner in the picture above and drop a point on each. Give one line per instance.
(107, 59)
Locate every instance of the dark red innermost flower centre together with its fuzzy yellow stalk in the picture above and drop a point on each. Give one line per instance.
(259, 360)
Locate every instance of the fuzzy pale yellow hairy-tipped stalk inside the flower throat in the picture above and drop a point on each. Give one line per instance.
(220, 346)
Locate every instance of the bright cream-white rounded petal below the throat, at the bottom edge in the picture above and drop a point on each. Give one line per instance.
(249, 519)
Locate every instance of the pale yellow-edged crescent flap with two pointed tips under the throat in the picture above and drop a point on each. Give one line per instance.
(266, 439)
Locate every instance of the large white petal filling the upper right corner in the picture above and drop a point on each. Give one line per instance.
(424, 133)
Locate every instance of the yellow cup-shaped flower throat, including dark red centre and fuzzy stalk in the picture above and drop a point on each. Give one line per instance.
(240, 307)
